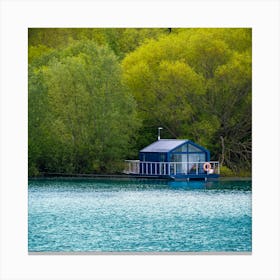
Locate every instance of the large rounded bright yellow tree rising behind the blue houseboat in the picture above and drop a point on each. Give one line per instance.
(197, 84)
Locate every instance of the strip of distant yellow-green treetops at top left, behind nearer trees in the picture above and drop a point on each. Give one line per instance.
(120, 40)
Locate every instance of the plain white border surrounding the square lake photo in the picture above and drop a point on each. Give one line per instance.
(17, 16)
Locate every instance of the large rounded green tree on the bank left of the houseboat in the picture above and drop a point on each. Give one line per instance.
(90, 115)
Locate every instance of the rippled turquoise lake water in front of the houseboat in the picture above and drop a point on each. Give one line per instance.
(139, 216)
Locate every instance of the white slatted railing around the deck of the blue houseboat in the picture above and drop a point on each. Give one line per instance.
(170, 168)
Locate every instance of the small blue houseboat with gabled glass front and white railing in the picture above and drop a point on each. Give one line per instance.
(174, 159)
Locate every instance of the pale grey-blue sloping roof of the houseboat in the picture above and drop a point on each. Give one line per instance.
(163, 146)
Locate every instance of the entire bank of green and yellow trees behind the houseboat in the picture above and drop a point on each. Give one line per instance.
(97, 95)
